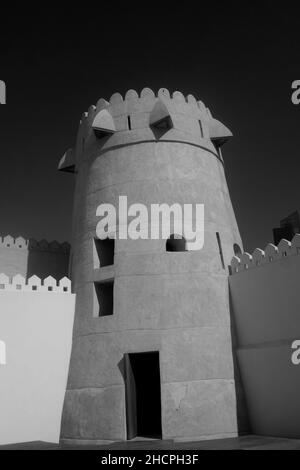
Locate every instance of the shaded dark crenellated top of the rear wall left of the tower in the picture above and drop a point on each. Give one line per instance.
(21, 243)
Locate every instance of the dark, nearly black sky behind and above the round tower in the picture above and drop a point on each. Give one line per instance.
(238, 58)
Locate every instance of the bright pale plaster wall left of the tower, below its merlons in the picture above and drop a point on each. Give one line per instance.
(36, 328)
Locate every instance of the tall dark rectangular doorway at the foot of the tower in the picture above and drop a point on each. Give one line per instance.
(143, 399)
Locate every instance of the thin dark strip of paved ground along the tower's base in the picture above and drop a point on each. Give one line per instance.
(239, 443)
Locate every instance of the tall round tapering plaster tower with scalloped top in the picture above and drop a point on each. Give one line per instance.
(152, 353)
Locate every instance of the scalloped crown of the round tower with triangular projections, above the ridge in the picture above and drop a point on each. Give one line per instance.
(124, 121)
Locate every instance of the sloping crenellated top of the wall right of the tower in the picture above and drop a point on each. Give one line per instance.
(271, 254)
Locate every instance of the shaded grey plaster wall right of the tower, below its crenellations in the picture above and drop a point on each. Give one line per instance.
(266, 303)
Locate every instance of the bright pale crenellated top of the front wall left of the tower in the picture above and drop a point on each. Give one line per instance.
(34, 284)
